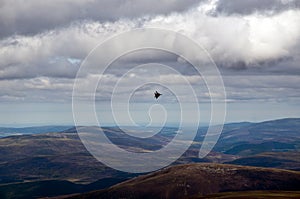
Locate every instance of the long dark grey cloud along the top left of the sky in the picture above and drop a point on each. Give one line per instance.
(35, 16)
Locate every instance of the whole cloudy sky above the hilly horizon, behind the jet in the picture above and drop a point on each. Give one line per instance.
(254, 43)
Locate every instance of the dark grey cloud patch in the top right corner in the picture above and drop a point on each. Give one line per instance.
(245, 7)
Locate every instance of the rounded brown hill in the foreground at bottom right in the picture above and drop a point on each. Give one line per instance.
(195, 180)
